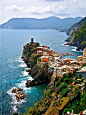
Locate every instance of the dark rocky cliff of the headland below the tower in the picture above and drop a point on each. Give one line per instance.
(39, 74)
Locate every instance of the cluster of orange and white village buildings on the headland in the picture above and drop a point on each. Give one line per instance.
(58, 65)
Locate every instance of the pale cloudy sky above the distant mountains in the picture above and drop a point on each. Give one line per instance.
(41, 9)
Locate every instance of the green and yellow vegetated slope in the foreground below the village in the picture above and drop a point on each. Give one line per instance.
(70, 97)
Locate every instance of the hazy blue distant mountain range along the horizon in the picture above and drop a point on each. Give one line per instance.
(45, 23)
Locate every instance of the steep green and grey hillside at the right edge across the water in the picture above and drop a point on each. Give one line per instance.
(78, 35)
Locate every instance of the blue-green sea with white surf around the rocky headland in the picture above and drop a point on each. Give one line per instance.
(13, 69)
